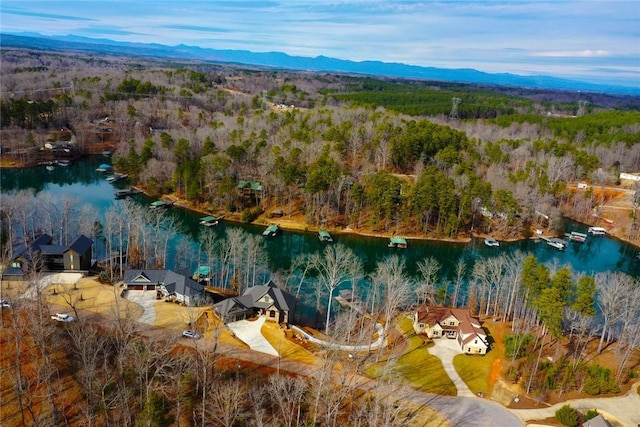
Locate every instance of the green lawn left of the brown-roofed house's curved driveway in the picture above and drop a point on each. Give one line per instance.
(417, 366)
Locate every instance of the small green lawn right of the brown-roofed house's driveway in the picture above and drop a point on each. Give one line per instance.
(475, 371)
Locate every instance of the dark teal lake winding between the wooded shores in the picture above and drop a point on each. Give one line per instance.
(81, 180)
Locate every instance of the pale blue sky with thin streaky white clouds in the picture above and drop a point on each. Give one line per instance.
(595, 41)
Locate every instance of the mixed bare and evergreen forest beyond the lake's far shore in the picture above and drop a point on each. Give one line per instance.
(346, 152)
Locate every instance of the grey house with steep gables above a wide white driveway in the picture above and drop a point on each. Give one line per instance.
(269, 300)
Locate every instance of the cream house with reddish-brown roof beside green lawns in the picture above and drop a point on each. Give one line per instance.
(452, 323)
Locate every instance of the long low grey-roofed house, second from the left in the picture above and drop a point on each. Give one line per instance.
(167, 283)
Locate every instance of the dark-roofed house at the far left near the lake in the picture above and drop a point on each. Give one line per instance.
(42, 255)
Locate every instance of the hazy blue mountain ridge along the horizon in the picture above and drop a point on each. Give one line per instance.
(317, 64)
